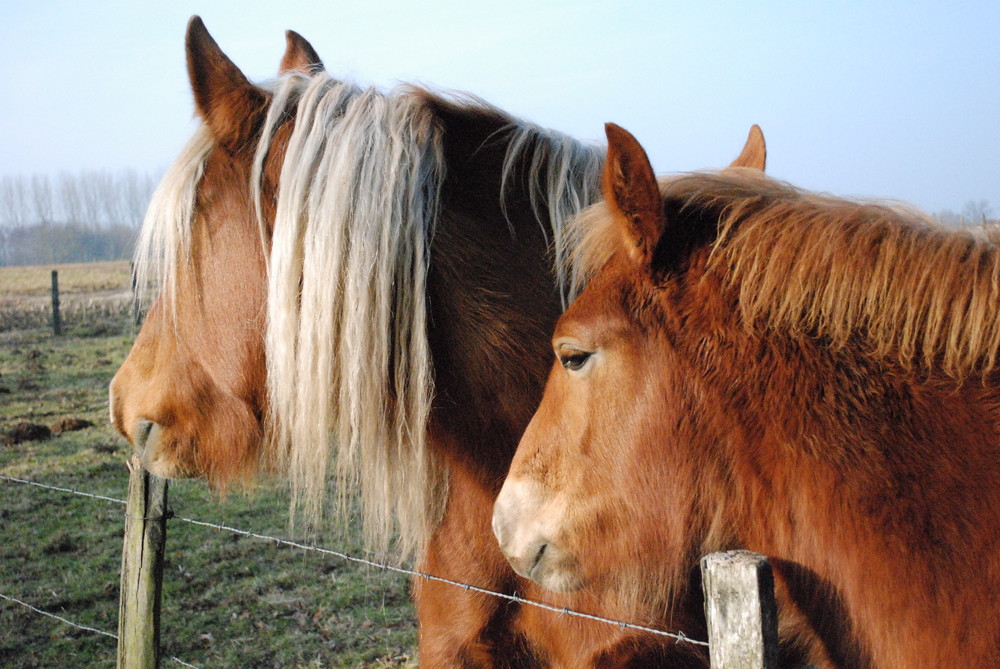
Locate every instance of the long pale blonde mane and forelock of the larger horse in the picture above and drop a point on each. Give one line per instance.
(350, 379)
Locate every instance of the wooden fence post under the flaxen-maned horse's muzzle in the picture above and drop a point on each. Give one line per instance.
(142, 570)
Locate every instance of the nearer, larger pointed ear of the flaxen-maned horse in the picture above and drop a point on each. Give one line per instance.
(225, 98)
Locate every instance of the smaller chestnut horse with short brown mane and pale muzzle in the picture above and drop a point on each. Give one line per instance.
(751, 365)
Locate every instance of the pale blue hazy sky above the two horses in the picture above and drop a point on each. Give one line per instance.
(884, 99)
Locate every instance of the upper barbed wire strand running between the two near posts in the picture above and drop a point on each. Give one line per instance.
(678, 637)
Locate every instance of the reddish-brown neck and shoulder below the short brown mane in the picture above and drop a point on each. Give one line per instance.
(852, 472)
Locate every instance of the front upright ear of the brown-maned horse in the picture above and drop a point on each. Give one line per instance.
(631, 191)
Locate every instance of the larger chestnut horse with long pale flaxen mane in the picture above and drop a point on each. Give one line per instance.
(357, 286)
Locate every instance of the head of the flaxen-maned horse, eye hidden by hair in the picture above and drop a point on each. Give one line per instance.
(191, 395)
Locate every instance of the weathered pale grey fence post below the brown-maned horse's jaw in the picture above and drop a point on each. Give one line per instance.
(740, 610)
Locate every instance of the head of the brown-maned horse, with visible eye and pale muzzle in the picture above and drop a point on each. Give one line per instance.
(582, 464)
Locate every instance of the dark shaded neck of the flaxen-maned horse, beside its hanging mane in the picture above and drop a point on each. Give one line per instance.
(492, 293)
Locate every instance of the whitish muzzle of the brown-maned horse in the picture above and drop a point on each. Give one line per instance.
(526, 525)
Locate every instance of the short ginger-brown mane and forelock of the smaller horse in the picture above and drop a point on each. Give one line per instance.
(833, 267)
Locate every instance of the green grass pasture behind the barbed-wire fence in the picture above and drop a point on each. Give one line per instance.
(228, 600)
